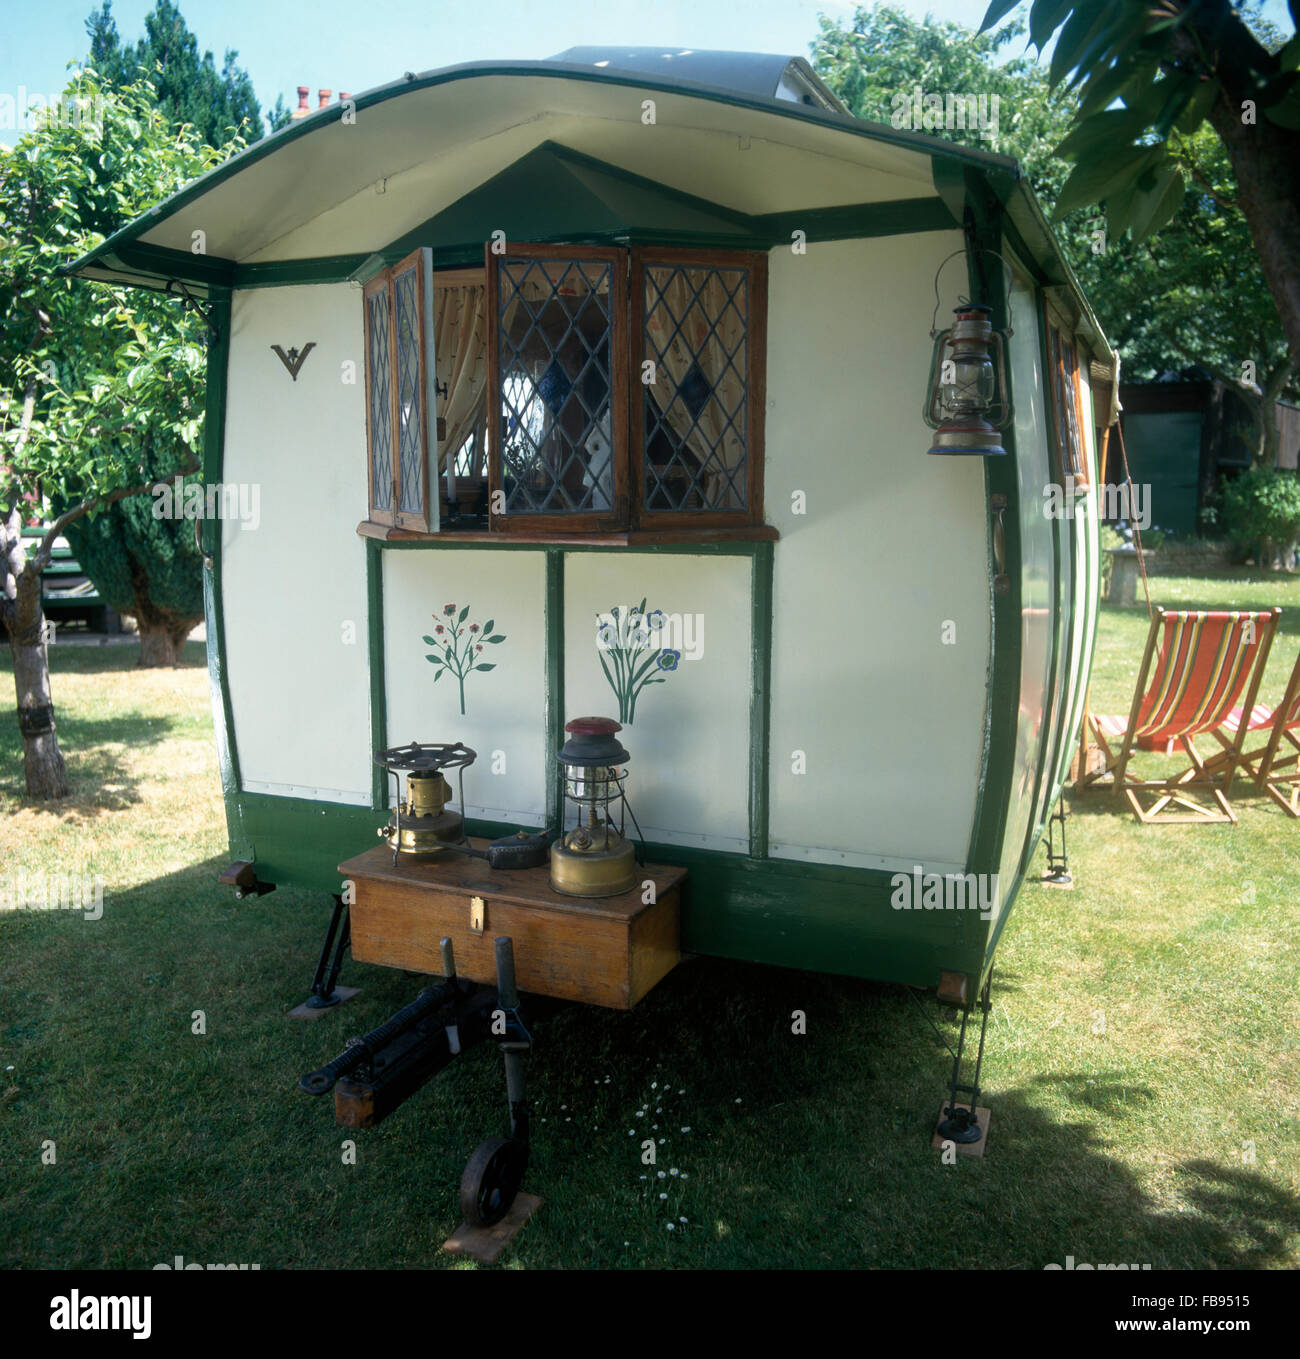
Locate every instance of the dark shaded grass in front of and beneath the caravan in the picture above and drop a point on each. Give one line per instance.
(805, 1150)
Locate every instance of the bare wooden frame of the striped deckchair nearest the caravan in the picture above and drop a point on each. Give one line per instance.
(1214, 777)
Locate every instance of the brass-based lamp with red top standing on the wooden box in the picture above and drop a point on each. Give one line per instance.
(594, 860)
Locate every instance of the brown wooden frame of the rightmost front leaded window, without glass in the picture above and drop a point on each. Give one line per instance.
(756, 349)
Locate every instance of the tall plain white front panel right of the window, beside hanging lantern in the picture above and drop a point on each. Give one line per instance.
(893, 546)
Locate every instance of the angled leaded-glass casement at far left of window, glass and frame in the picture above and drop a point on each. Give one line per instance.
(401, 395)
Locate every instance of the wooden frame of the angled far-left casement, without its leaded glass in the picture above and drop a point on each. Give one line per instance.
(426, 518)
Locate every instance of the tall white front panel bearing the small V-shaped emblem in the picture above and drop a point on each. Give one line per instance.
(295, 586)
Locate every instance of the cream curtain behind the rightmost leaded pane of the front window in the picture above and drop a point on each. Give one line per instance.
(681, 308)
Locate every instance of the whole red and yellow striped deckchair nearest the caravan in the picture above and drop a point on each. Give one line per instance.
(1187, 688)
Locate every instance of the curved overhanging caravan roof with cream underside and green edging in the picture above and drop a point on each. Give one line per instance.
(301, 206)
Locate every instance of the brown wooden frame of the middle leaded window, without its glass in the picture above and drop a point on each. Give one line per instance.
(607, 521)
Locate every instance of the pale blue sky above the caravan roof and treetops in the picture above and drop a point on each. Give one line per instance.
(350, 46)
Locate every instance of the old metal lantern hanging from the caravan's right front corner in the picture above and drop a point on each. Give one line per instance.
(968, 400)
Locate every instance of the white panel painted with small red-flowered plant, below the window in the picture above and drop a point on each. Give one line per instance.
(503, 718)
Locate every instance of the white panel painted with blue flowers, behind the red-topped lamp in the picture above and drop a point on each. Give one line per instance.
(689, 739)
